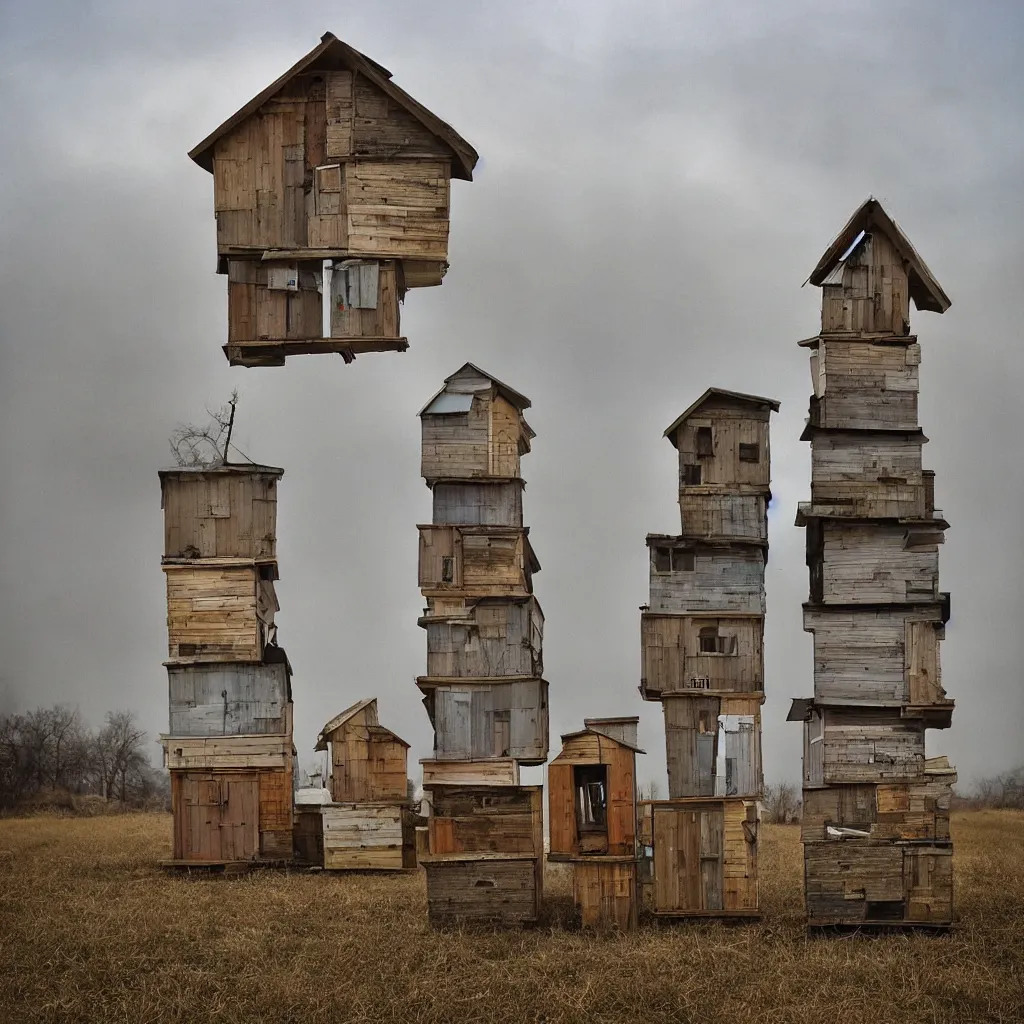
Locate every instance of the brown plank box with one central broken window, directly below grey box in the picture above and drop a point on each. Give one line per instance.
(675, 655)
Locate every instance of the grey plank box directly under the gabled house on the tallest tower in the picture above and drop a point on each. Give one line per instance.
(865, 386)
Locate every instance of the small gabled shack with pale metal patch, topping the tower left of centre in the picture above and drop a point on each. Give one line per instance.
(474, 429)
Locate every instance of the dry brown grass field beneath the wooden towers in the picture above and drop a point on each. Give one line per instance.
(91, 930)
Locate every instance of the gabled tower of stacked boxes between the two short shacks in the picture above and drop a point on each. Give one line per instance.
(484, 690)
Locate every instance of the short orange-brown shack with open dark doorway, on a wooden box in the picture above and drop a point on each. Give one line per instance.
(592, 815)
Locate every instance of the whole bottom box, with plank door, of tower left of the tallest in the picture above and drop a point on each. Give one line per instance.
(706, 859)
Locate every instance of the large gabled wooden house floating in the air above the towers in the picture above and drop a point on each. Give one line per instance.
(333, 182)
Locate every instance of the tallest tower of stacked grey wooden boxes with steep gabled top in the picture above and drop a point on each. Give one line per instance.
(876, 824)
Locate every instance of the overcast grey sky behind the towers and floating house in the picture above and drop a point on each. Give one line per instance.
(656, 183)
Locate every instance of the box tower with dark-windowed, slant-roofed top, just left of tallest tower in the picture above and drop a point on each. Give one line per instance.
(703, 658)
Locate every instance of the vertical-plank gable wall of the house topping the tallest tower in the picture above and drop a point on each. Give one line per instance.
(869, 292)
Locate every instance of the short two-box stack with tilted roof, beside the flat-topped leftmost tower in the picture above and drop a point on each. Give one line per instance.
(370, 824)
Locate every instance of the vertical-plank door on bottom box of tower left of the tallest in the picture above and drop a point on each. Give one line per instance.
(689, 846)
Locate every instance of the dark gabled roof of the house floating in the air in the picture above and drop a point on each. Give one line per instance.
(332, 48)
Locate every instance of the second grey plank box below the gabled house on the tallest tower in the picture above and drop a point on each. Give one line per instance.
(868, 476)
